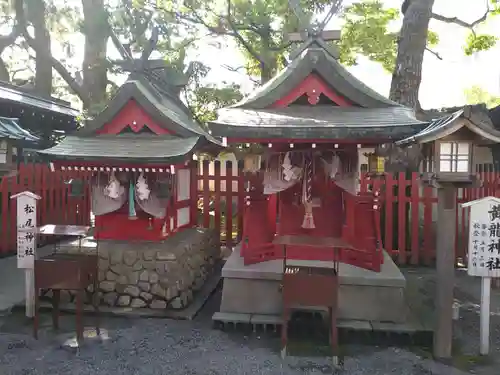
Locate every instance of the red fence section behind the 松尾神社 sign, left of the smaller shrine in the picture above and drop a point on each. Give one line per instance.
(55, 207)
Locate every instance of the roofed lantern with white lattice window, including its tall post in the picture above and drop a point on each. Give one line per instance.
(450, 142)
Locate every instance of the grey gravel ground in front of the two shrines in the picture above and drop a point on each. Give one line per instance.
(155, 346)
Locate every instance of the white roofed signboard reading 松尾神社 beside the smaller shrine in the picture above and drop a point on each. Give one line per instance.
(26, 229)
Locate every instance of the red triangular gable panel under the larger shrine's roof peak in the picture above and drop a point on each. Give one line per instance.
(313, 86)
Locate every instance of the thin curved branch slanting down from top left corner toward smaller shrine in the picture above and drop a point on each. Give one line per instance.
(58, 66)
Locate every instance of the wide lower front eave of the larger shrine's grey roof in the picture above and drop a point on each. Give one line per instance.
(320, 121)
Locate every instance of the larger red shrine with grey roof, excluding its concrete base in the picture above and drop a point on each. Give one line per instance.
(318, 120)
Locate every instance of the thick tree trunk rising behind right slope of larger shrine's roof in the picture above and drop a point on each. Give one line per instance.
(407, 73)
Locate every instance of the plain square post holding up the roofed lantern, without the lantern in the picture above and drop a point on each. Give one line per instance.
(445, 271)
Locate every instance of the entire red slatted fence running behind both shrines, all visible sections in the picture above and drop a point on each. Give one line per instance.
(408, 216)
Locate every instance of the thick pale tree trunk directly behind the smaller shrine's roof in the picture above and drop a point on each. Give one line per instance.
(95, 65)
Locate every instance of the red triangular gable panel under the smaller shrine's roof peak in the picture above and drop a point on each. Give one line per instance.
(128, 114)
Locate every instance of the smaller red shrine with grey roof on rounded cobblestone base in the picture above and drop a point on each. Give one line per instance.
(143, 194)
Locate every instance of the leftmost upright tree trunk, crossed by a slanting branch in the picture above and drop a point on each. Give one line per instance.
(36, 12)
